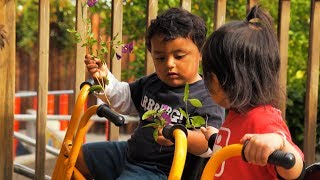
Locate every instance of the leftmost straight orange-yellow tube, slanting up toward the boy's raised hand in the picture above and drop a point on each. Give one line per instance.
(59, 170)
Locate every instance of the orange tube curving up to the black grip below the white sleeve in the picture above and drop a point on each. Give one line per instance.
(78, 141)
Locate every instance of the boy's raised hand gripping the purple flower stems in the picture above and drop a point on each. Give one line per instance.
(95, 67)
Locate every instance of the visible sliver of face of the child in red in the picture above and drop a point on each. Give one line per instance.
(217, 93)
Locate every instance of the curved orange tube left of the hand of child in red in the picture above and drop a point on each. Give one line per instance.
(217, 159)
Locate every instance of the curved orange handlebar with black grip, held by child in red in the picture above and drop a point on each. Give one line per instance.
(284, 159)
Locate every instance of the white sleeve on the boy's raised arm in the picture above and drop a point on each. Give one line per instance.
(119, 95)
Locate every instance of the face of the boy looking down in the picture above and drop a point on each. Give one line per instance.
(176, 61)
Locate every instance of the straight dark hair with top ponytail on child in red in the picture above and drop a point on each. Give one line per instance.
(244, 56)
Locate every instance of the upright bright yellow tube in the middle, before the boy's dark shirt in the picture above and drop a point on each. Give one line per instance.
(180, 153)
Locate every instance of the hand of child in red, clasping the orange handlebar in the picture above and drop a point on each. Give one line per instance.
(260, 146)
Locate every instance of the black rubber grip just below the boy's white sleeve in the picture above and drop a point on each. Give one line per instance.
(105, 111)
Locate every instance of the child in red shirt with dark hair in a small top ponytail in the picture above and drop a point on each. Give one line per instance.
(241, 70)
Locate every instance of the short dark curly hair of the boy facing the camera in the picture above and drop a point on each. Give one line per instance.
(177, 22)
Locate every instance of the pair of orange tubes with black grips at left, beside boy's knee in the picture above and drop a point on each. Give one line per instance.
(65, 164)
